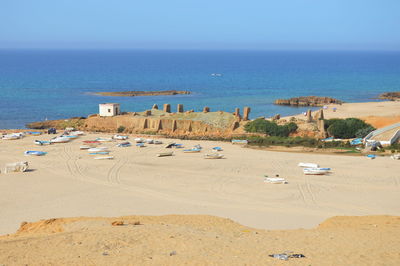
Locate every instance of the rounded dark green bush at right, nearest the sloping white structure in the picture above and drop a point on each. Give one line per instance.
(348, 128)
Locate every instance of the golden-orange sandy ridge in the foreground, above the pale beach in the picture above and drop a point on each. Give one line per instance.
(200, 240)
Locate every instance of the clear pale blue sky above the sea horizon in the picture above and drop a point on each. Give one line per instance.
(201, 24)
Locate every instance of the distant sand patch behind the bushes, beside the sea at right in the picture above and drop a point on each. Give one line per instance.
(379, 114)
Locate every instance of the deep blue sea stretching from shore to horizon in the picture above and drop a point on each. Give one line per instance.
(54, 84)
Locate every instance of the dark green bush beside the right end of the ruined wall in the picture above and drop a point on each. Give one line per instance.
(261, 125)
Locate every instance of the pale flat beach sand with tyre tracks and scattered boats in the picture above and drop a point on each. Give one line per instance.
(68, 182)
